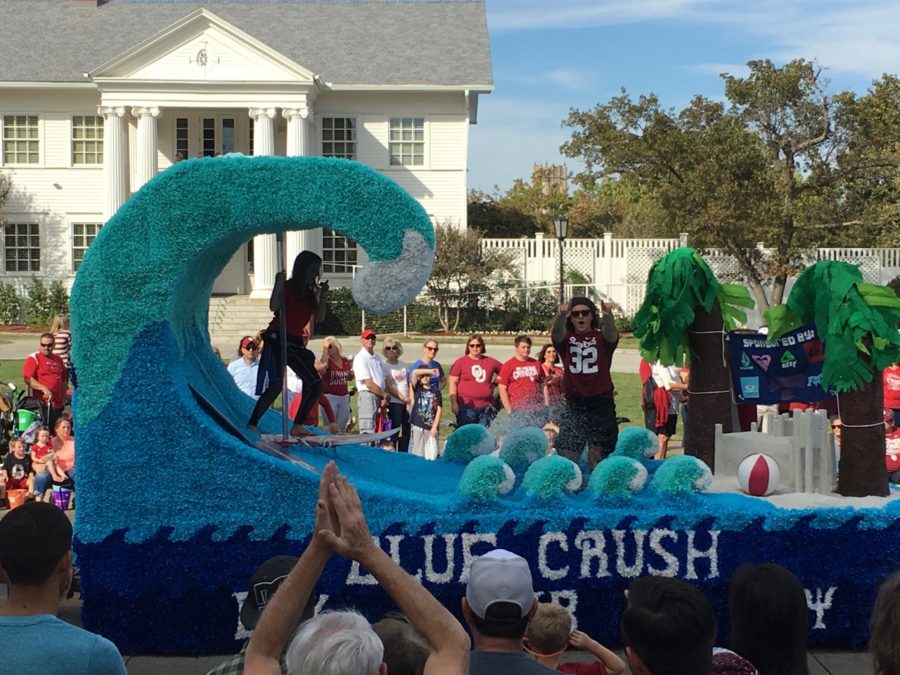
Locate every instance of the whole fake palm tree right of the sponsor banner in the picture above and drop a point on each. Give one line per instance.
(858, 324)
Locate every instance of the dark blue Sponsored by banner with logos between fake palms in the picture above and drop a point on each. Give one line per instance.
(786, 370)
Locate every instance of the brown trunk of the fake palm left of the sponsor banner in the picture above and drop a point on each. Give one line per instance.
(710, 372)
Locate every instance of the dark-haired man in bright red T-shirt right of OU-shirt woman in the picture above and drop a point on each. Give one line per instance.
(521, 387)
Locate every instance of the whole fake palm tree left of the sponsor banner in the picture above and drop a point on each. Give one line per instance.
(684, 315)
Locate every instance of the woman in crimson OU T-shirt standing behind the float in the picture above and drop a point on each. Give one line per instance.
(472, 382)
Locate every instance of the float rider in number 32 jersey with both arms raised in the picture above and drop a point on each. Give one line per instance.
(586, 342)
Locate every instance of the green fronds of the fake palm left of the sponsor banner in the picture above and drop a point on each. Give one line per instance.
(677, 285)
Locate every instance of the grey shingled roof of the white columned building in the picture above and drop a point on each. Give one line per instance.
(345, 43)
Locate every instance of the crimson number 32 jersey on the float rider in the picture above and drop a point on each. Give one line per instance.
(586, 360)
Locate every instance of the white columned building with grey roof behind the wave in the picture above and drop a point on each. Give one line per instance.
(98, 96)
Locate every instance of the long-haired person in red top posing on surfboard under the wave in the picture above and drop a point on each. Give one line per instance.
(304, 299)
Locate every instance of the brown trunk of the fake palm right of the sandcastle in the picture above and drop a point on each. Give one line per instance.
(862, 469)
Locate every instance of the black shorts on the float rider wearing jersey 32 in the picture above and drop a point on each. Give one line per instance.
(589, 421)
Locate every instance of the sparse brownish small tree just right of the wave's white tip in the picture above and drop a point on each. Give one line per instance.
(463, 272)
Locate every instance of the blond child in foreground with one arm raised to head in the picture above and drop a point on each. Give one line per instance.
(550, 632)
